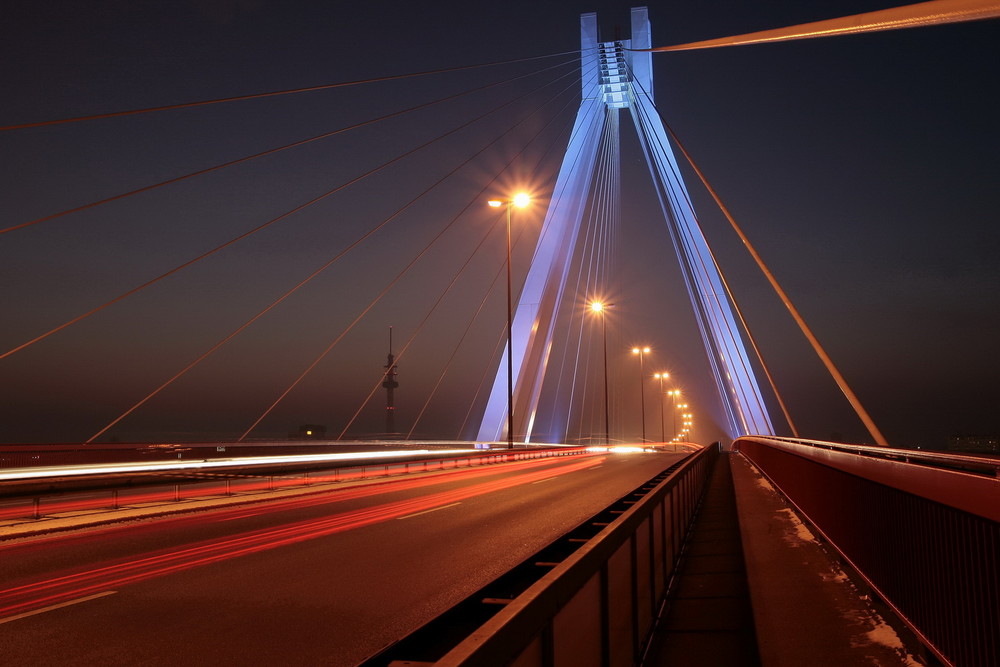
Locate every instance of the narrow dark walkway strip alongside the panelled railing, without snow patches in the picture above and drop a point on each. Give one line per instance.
(709, 620)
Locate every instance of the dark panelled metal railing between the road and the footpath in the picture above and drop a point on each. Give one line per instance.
(598, 605)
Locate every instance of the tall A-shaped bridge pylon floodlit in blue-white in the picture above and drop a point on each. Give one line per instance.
(614, 78)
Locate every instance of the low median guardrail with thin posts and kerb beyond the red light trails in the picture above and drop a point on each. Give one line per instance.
(22, 504)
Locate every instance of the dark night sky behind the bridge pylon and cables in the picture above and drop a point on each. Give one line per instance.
(863, 168)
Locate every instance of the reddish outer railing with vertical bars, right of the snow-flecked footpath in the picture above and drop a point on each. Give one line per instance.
(923, 529)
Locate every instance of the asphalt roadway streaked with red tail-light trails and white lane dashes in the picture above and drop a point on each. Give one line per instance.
(325, 579)
